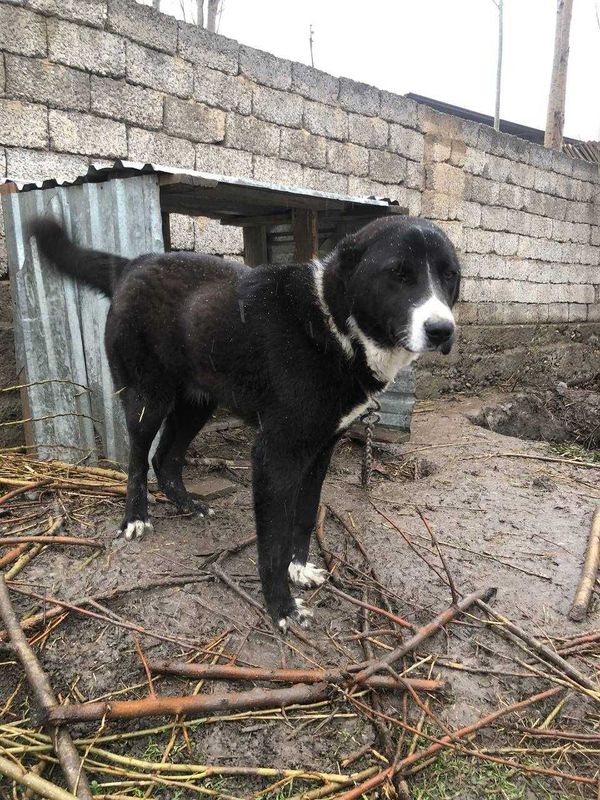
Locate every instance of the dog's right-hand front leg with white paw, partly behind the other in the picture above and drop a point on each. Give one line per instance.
(301, 571)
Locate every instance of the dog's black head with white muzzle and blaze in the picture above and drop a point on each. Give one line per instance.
(401, 278)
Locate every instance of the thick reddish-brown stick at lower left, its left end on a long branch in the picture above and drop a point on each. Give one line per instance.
(300, 694)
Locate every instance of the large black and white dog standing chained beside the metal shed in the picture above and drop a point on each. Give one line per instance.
(297, 350)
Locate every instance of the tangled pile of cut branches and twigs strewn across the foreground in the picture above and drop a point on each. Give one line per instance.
(404, 742)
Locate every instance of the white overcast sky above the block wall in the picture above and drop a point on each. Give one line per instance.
(444, 49)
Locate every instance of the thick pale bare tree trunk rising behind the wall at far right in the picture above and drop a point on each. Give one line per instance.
(558, 85)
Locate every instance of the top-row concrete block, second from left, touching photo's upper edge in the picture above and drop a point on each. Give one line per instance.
(142, 24)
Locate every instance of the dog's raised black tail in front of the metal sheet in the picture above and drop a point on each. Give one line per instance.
(97, 269)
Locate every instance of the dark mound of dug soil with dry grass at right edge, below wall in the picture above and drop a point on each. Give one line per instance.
(561, 415)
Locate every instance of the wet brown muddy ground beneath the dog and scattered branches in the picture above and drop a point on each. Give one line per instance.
(518, 524)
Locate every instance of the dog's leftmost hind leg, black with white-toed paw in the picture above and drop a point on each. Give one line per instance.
(144, 417)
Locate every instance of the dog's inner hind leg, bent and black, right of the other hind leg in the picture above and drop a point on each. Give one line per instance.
(181, 425)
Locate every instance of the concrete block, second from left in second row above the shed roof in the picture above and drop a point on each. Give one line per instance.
(71, 132)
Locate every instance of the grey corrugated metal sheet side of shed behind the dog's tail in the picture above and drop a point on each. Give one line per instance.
(59, 324)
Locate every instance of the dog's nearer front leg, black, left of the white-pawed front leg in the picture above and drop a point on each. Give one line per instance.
(277, 477)
